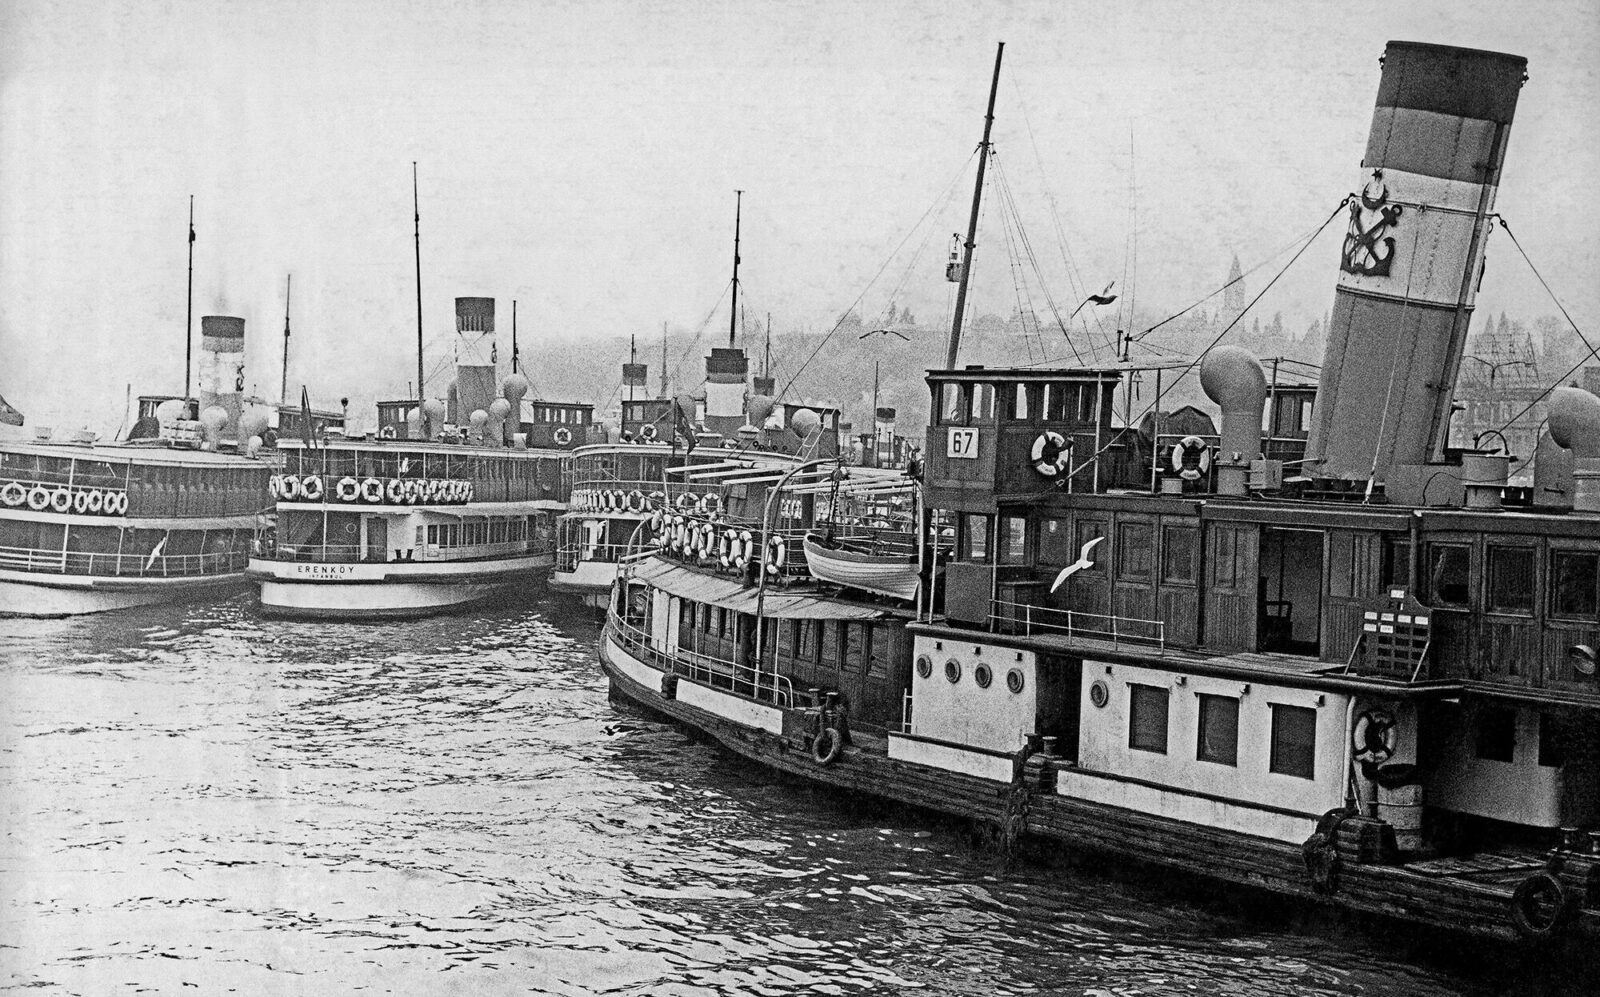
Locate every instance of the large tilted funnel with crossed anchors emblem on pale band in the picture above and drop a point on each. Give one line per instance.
(1412, 258)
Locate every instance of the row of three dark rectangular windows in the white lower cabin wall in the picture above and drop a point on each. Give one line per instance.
(1292, 745)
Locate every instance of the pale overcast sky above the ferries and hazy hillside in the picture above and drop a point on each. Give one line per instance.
(582, 158)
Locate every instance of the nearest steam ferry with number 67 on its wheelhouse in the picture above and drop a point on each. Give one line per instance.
(1366, 684)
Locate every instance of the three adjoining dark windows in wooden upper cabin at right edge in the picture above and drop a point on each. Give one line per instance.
(1511, 580)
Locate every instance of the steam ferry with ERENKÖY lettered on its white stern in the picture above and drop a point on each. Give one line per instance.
(446, 505)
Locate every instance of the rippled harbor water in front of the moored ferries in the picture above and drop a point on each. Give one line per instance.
(194, 799)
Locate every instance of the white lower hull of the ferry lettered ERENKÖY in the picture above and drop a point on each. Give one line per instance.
(354, 591)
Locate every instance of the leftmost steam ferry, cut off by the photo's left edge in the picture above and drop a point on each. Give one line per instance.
(162, 516)
